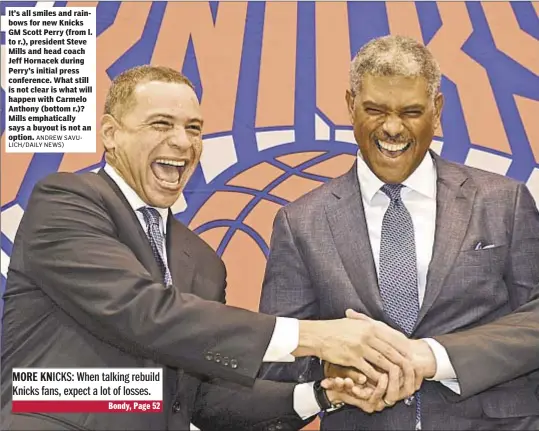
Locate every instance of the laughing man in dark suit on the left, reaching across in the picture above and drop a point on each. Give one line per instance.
(102, 275)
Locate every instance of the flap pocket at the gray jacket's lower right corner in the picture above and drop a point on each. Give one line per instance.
(517, 402)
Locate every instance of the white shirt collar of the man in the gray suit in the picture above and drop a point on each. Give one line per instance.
(422, 180)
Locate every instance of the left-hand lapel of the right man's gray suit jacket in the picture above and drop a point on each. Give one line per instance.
(346, 218)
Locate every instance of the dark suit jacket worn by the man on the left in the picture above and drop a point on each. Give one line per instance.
(84, 290)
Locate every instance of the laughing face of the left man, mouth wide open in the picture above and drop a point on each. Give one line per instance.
(157, 143)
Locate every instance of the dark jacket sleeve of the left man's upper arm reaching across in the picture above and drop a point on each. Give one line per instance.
(71, 251)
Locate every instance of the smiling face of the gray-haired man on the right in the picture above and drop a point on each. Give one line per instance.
(394, 121)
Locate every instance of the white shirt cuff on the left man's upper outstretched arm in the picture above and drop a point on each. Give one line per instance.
(284, 341)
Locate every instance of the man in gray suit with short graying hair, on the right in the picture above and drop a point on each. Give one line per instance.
(446, 254)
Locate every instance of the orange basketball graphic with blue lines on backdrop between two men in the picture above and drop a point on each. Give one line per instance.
(237, 221)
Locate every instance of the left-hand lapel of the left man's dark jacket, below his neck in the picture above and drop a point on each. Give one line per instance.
(136, 234)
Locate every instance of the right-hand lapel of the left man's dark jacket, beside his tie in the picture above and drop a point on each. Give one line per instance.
(180, 261)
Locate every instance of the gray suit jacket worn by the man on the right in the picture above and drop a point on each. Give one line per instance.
(481, 305)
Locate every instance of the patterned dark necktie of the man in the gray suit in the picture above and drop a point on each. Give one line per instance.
(398, 268)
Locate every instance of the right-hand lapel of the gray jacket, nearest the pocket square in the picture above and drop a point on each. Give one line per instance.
(454, 203)
